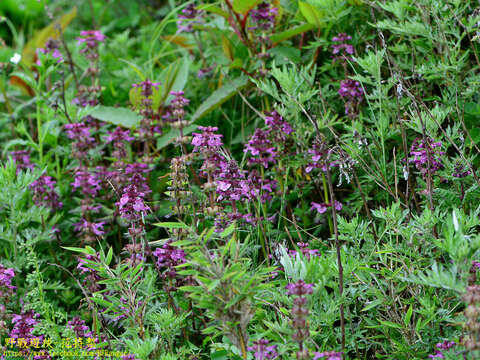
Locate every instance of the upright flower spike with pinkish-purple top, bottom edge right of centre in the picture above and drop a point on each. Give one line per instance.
(300, 313)
